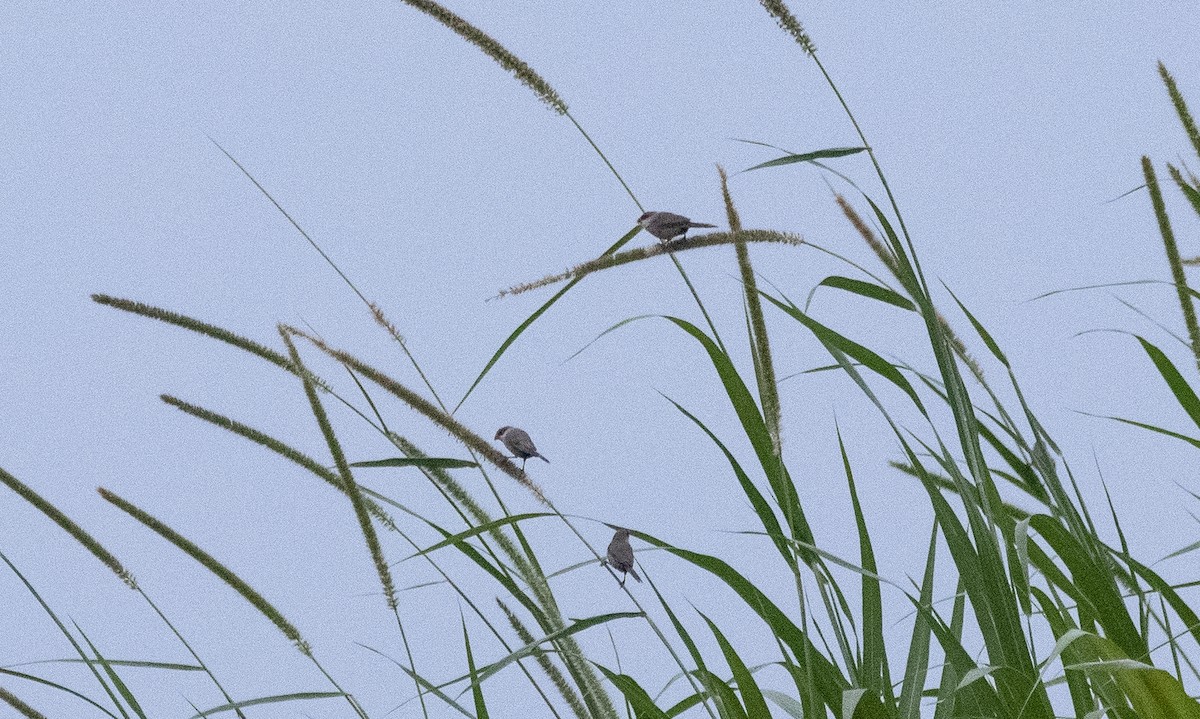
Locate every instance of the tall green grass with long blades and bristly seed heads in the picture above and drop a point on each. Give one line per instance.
(1041, 597)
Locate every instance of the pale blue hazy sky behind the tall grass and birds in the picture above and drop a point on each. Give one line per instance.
(435, 181)
